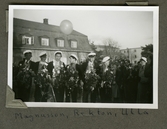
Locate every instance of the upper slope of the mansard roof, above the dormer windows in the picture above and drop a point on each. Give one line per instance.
(41, 26)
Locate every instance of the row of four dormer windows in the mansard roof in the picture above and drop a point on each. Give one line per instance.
(29, 40)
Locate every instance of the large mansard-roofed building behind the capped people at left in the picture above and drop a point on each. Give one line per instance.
(38, 37)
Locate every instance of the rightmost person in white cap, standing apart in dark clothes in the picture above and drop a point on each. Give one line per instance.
(142, 85)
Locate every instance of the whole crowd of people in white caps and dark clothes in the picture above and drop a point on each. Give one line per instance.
(100, 80)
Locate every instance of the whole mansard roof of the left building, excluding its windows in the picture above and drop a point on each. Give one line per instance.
(53, 32)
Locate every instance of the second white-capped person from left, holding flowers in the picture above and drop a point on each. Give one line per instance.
(43, 89)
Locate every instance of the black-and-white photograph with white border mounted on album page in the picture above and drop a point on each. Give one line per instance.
(84, 56)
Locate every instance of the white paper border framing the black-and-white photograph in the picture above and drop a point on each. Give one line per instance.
(154, 9)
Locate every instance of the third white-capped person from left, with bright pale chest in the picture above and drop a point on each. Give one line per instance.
(56, 70)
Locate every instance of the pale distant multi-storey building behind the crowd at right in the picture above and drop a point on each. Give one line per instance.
(133, 54)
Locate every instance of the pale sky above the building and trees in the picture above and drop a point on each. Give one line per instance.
(130, 29)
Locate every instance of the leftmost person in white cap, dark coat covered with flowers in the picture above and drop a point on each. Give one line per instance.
(25, 76)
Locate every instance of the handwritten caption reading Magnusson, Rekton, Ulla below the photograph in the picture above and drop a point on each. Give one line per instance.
(80, 113)
